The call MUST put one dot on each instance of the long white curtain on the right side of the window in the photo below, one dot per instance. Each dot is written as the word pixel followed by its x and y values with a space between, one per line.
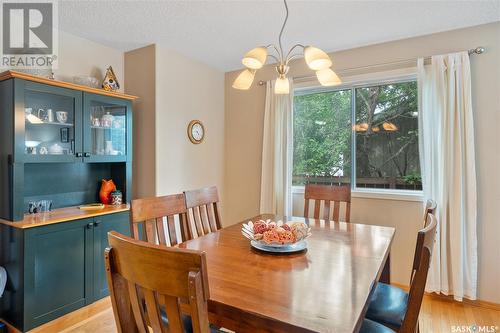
pixel 448 171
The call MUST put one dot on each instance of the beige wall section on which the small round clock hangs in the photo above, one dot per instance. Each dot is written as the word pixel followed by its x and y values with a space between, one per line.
pixel 187 90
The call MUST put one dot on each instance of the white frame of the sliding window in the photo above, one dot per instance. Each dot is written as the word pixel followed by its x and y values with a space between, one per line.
pixel 352 83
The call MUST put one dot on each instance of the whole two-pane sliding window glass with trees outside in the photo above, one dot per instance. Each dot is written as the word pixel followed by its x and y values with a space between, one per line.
pixel 365 135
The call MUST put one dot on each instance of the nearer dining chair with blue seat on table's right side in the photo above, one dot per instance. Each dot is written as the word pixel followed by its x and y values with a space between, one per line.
pixel 395 308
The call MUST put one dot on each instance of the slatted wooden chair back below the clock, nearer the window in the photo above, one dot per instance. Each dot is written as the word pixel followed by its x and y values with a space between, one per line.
pixel 203 211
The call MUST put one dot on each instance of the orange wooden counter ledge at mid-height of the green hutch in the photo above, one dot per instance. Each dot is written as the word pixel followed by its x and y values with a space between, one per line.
pixel 62 215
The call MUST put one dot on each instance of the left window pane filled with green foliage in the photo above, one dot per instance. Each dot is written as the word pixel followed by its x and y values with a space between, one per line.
pixel 322 137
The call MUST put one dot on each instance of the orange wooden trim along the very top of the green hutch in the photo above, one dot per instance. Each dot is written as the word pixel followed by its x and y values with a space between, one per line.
pixel 13 74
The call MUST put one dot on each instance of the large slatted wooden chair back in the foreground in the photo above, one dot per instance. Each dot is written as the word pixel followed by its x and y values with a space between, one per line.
pixel 144 278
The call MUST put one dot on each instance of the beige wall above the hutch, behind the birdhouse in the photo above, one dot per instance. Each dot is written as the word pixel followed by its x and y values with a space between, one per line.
pixel 80 56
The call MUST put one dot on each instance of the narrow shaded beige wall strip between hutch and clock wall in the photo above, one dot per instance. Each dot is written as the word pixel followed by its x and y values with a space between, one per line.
pixel 141 81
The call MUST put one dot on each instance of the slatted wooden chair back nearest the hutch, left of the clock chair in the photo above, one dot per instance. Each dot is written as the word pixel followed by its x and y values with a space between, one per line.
pixel 153 219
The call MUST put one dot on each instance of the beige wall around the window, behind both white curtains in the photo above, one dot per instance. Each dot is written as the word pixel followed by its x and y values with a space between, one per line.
pixel 244 123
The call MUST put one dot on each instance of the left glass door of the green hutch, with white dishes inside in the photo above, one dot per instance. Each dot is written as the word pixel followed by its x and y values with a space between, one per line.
pixel 51 123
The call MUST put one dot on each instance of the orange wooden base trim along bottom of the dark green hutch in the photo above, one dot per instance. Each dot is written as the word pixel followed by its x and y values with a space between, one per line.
pixel 68 320
